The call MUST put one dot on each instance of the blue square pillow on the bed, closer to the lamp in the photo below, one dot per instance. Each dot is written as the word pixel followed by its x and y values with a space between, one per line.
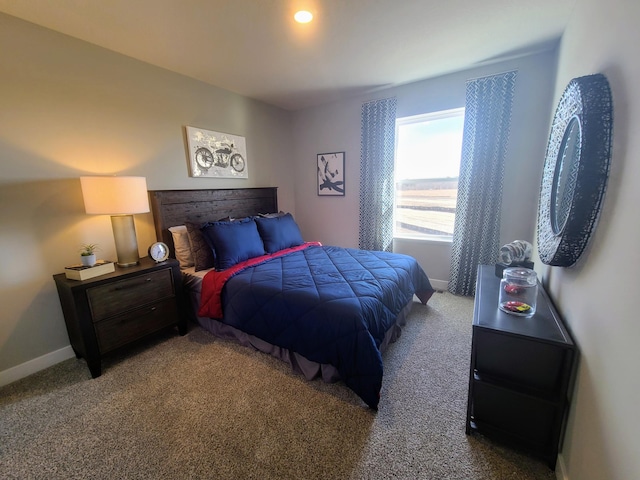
pixel 233 242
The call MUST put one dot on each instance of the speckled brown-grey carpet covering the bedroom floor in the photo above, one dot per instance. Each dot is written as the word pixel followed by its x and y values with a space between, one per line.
pixel 199 407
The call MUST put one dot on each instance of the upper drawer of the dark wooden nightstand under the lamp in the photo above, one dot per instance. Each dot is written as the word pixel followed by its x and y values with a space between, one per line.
pixel 118 297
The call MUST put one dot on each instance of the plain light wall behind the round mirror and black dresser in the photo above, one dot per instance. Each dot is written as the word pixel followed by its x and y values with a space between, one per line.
pixel 598 296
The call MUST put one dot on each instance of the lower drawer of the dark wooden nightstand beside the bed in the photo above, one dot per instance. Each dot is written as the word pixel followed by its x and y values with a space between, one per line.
pixel 122 329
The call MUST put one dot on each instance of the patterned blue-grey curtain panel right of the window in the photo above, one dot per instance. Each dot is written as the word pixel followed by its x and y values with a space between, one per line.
pixel 476 234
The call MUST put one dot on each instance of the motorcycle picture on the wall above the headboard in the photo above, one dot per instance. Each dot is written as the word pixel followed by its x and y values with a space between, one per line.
pixel 216 154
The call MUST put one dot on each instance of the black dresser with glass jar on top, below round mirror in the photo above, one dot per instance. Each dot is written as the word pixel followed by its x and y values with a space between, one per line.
pixel 521 372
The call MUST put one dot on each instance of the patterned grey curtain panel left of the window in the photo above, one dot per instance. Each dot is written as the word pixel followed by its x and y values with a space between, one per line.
pixel 377 146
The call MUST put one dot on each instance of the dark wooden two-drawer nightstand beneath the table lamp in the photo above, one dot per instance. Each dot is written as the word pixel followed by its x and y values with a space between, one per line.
pixel 116 309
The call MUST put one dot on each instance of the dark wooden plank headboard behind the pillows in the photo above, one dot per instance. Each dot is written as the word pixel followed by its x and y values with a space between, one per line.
pixel 175 207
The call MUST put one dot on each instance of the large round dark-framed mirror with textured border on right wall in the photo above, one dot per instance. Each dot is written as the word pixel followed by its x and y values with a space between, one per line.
pixel 576 169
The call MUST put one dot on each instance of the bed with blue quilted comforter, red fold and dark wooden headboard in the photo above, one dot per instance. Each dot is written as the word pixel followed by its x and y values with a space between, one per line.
pixel 327 311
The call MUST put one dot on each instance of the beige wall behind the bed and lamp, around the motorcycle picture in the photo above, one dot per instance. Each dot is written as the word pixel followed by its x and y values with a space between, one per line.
pixel 68 108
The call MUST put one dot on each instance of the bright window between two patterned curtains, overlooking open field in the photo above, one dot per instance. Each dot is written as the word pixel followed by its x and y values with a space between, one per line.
pixel 427 164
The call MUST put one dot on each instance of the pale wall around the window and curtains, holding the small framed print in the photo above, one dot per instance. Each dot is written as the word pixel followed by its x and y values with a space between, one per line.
pixel 336 127
